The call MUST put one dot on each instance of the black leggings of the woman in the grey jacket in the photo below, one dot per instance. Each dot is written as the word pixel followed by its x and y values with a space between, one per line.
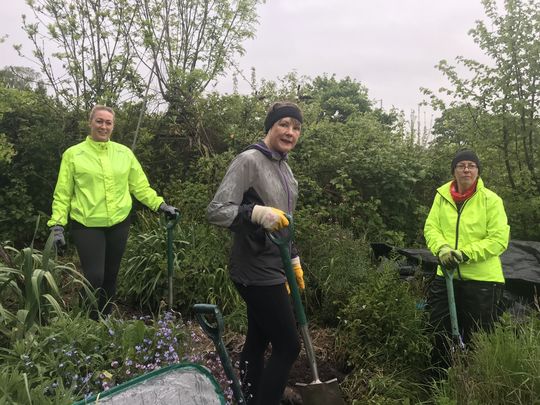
pixel 270 320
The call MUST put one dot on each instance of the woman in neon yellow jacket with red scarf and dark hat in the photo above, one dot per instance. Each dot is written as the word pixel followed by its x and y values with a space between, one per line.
pixel 468 230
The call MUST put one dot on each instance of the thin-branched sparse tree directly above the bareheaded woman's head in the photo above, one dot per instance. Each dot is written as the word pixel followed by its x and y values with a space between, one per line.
pixel 83 48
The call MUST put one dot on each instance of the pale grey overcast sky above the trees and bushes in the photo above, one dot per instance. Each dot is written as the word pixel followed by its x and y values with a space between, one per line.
pixel 390 46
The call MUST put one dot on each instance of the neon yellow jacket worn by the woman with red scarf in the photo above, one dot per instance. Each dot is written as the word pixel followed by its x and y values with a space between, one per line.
pixel 480 230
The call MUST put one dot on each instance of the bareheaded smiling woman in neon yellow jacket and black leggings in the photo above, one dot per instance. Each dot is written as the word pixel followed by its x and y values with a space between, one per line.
pixel 93 192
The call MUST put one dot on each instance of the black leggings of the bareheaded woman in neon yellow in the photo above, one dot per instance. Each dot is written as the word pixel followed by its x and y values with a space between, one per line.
pixel 100 252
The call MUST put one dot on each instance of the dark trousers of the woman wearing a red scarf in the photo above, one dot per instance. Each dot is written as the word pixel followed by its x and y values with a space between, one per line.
pixel 476 308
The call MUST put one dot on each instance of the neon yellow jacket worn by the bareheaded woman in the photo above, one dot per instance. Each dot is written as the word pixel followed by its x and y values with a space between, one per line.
pixel 95 182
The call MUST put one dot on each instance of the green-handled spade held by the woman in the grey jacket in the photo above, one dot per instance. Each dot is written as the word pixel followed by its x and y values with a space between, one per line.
pixel 315 392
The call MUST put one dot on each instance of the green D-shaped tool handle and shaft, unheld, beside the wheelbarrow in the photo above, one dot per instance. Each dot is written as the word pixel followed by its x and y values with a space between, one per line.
pixel 214 332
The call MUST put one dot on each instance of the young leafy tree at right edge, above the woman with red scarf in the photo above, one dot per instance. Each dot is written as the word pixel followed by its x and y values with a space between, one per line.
pixel 502 96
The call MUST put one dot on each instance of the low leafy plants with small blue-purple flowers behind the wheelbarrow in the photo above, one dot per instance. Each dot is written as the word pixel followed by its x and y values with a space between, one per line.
pixel 78 357
